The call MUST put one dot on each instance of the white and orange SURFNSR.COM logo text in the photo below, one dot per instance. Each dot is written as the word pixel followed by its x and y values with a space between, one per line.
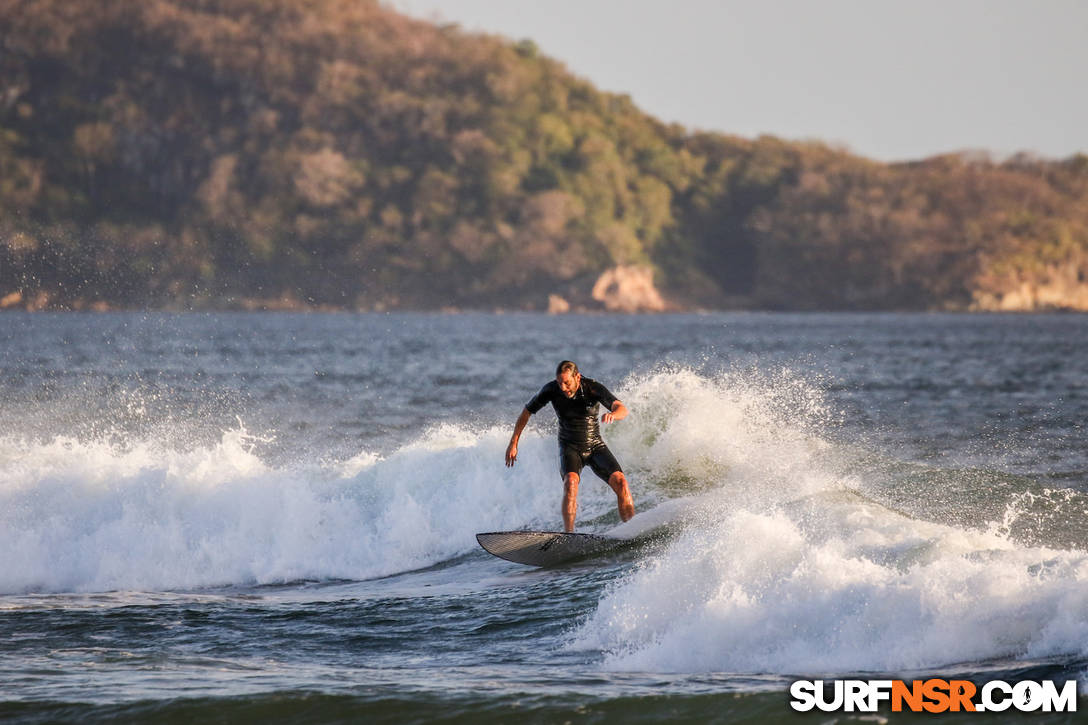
pixel 933 696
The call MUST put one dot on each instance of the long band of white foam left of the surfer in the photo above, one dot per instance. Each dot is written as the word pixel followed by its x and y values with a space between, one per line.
pixel 95 517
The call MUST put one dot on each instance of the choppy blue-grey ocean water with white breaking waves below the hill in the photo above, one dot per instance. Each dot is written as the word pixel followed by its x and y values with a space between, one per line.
pixel 271 518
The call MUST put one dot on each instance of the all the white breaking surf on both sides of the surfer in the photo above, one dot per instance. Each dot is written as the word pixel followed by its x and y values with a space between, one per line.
pixel 778 562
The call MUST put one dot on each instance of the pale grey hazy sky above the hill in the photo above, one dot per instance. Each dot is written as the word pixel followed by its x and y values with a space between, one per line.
pixel 888 80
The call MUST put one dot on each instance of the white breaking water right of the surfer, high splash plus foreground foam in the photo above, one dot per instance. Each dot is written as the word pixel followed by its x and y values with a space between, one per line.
pixel 790 564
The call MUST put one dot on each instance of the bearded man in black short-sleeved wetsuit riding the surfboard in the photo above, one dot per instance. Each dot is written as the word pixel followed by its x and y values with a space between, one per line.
pixel 577 402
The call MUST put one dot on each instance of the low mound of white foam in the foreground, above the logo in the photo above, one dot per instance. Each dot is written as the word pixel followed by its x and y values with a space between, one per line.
pixel 832 584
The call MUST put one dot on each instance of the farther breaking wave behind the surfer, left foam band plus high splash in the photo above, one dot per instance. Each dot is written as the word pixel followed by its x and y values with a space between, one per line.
pixel 149 511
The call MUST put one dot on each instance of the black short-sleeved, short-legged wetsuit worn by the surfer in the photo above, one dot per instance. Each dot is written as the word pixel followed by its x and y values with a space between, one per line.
pixel 579 427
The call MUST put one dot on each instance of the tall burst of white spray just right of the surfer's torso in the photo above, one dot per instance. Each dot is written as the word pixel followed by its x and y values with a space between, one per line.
pixel 691 433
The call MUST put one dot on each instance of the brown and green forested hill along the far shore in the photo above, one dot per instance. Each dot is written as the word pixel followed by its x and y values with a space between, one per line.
pixel 195 154
